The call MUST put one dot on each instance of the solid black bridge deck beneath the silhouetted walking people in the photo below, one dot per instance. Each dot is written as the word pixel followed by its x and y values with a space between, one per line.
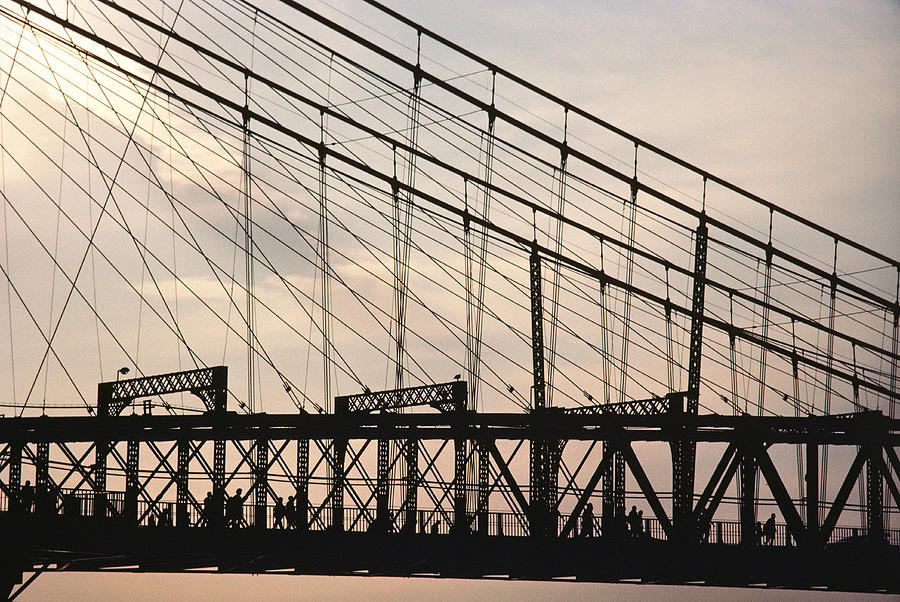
pixel 90 544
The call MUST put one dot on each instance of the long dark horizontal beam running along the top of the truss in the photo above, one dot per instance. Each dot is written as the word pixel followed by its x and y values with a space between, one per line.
pixel 854 429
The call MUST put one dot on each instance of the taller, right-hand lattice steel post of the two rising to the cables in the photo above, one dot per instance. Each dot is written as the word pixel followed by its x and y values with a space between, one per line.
pixel 684 449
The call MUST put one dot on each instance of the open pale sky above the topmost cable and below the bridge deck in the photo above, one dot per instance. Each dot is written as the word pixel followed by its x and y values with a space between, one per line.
pixel 794 101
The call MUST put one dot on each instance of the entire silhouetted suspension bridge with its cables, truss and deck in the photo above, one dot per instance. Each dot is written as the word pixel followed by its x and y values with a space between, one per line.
pixel 359 306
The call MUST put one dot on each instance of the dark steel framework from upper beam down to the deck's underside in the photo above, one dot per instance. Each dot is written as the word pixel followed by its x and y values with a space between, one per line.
pixel 749 444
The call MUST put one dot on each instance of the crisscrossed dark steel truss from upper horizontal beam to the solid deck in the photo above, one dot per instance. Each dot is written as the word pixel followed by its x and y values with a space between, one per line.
pixel 176 469
